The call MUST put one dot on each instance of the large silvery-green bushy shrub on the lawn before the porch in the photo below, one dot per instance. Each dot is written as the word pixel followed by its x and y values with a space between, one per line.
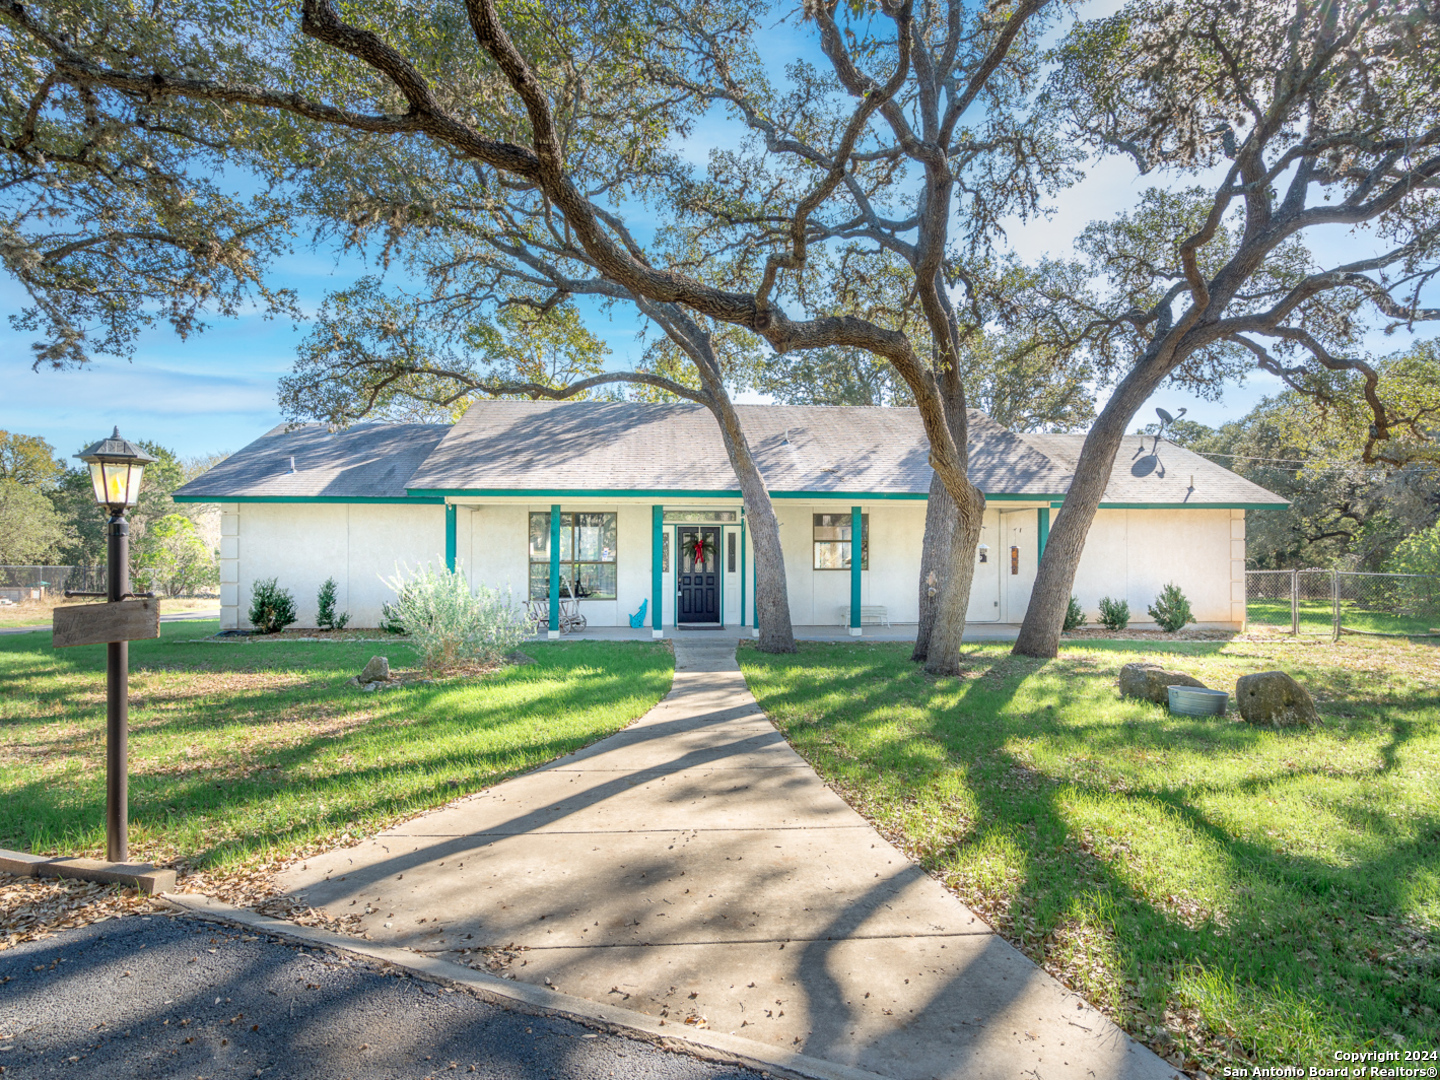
pixel 453 626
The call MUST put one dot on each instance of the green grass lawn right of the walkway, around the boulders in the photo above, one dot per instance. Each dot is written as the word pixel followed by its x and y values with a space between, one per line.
pixel 1246 894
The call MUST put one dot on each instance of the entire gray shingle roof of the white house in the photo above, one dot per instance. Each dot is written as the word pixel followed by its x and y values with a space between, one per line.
pixel 503 446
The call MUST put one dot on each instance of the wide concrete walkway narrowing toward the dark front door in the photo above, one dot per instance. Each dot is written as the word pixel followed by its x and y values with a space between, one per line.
pixel 696 869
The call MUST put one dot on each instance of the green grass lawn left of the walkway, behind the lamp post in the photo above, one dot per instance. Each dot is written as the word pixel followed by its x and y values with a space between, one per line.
pixel 246 751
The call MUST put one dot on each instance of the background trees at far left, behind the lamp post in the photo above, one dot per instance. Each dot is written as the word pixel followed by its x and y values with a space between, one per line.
pixel 50 518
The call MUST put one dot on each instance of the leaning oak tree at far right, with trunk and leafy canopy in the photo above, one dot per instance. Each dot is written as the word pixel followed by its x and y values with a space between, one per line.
pixel 1287 122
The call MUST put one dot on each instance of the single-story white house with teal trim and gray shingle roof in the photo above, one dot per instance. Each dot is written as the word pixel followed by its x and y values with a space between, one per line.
pixel 636 505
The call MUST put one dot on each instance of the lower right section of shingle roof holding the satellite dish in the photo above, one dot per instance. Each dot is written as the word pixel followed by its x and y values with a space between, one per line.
pixel 1170 476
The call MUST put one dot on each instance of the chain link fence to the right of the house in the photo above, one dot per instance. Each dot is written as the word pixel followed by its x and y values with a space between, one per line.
pixel 1334 603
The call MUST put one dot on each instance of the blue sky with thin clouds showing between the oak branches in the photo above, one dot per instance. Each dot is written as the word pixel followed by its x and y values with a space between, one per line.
pixel 217 391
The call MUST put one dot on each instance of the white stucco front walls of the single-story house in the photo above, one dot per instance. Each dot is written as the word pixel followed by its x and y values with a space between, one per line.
pixel 1131 554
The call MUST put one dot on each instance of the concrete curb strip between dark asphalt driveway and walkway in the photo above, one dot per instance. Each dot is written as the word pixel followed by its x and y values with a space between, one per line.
pixel 711 1046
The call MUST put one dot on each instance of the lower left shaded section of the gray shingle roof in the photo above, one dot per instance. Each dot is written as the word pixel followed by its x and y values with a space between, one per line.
pixel 366 462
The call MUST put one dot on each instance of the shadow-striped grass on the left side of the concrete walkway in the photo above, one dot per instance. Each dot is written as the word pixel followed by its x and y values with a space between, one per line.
pixel 227 775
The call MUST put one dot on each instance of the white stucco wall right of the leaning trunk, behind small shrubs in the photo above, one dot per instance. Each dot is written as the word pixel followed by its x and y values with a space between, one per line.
pixel 1133 555
